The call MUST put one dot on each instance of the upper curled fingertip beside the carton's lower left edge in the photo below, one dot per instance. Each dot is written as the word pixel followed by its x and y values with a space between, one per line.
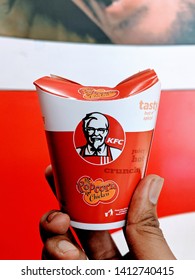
pixel 54 223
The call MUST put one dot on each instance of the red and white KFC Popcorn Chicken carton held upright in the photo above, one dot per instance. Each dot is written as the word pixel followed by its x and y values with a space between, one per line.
pixel 99 140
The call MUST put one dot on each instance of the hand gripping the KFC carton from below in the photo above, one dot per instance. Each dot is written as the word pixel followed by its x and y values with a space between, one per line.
pixel 144 237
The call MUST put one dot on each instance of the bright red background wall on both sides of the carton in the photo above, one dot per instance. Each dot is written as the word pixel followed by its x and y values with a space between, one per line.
pixel 25 195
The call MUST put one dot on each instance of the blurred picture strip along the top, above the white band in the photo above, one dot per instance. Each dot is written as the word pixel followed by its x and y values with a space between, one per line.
pixel 102 21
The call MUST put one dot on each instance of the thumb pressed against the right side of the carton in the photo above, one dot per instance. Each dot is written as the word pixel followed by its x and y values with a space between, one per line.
pixel 143 233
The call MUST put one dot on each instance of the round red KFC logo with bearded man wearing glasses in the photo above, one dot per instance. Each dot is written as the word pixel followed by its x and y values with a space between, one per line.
pixel 99 138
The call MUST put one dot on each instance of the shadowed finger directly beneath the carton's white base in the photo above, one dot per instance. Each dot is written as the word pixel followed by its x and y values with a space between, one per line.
pixel 98 245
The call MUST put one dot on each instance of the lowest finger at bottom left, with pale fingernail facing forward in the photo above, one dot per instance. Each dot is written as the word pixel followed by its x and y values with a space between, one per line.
pixel 61 248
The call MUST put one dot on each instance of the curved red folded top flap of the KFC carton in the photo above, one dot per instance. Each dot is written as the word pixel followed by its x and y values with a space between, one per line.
pixel 70 89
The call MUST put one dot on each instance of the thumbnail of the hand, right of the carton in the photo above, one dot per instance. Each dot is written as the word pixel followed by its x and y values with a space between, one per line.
pixel 155 189
